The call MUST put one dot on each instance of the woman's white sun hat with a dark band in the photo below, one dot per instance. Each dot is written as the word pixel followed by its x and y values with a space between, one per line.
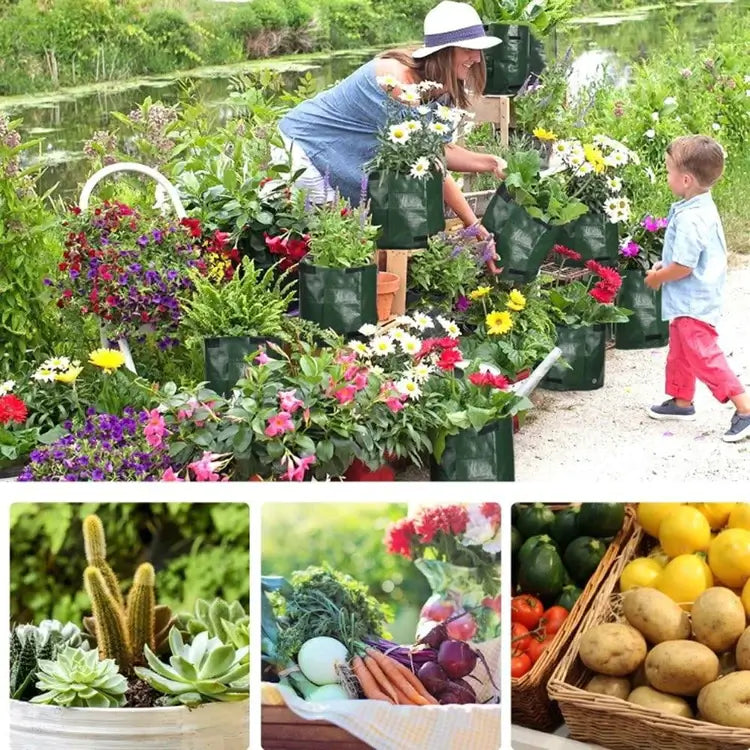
pixel 452 24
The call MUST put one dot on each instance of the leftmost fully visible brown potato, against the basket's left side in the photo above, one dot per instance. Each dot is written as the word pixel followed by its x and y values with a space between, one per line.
pixel 613 649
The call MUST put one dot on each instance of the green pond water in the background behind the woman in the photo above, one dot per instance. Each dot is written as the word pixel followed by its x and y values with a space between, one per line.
pixel 63 122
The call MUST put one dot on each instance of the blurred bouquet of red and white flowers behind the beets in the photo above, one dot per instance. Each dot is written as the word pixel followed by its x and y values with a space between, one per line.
pixel 457 549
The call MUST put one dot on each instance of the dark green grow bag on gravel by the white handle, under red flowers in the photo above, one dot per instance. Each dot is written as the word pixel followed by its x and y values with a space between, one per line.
pixel 583 349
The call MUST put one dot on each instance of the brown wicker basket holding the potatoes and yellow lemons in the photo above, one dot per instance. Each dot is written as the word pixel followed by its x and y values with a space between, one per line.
pixel 615 723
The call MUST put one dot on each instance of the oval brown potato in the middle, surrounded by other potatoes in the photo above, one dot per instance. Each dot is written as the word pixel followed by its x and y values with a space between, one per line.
pixel 681 667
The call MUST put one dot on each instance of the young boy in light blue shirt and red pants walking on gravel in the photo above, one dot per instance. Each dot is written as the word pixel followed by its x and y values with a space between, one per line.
pixel 693 271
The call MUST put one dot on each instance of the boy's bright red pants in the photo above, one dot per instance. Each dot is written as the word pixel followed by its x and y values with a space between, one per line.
pixel 694 354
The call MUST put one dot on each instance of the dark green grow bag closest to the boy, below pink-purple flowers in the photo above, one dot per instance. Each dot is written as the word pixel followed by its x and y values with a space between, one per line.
pixel 645 329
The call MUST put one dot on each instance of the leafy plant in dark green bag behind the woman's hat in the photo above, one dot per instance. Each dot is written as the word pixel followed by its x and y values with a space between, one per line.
pixel 521 25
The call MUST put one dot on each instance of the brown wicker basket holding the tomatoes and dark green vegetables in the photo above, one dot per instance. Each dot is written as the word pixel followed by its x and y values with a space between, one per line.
pixel 531 706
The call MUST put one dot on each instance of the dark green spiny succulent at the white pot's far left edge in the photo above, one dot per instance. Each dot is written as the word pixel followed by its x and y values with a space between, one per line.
pixel 30 643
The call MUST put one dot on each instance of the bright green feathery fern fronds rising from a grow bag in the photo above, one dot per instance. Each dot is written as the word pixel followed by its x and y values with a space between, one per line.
pixel 252 303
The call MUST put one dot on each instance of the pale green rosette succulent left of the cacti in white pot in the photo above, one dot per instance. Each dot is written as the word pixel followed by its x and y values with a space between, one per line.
pixel 80 678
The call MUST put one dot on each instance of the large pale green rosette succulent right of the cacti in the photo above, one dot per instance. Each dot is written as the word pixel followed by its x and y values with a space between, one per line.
pixel 204 671
